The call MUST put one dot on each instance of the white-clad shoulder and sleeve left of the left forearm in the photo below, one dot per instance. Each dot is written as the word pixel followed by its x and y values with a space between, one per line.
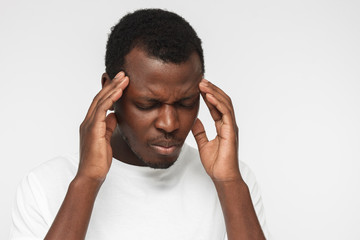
pixel 40 193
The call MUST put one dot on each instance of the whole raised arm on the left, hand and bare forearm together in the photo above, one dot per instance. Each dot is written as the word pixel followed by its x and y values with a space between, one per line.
pixel 73 217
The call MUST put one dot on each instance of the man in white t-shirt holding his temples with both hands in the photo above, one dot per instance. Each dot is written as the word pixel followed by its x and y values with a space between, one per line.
pixel 135 178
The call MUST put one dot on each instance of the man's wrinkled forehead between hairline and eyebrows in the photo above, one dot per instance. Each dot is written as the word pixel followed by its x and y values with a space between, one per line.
pixel 151 77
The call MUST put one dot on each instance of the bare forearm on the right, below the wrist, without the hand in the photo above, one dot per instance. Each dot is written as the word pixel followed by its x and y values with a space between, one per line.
pixel 239 213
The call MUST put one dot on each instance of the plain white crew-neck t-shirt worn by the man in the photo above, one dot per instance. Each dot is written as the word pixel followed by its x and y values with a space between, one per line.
pixel 134 202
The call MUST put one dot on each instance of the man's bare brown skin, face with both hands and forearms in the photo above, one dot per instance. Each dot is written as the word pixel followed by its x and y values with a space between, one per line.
pixel 151 121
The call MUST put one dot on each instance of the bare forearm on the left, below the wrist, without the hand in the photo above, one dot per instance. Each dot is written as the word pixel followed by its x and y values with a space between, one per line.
pixel 73 217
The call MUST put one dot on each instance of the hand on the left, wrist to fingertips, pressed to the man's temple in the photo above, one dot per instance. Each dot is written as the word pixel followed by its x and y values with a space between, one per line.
pixel 96 131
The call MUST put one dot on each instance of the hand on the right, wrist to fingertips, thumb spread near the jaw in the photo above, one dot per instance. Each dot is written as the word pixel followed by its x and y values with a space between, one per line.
pixel 220 155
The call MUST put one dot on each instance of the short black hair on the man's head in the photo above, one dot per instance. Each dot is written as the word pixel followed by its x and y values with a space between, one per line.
pixel 162 34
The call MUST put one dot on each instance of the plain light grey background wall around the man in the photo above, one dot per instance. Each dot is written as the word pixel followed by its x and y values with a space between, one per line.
pixel 291 68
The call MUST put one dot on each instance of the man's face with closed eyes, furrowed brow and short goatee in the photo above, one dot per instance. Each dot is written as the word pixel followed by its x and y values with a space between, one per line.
pixel 159 107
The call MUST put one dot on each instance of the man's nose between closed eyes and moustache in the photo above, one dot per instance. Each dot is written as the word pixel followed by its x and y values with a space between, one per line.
pixel 167 120
